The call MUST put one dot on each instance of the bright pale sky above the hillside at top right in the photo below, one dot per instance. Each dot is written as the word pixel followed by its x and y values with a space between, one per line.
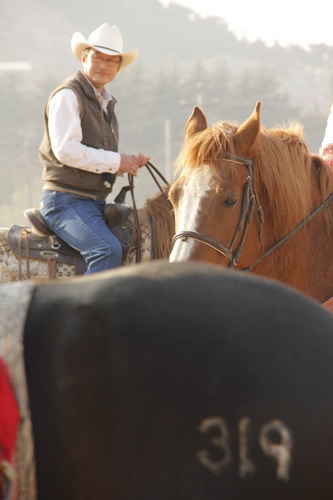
pixel 286 21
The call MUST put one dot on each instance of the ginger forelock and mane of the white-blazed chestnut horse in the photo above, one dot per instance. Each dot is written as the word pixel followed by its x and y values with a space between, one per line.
pixel 290 182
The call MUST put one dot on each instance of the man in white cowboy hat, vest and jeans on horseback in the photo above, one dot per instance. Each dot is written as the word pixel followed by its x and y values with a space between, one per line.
pixel 79 150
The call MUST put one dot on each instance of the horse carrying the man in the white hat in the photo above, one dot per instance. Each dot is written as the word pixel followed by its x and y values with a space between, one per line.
pixel 153 227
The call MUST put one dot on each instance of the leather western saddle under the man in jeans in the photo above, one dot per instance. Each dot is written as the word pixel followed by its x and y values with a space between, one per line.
pixel 39 242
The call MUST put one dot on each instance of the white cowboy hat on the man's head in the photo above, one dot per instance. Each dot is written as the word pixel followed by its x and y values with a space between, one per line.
pixel 106 39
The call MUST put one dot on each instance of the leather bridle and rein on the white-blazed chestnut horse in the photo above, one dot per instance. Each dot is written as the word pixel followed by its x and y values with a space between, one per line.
pixel 250 199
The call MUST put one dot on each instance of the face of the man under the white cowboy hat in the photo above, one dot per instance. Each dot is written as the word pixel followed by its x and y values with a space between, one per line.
pixel 100 68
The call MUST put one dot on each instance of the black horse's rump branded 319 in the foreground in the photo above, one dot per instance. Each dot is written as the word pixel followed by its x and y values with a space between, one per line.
pixel 179 382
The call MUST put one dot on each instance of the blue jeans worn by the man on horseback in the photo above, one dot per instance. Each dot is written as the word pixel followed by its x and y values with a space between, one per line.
pixel 79 221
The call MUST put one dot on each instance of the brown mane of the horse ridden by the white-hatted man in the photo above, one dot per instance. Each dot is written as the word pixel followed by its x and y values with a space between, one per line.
pixel 160 210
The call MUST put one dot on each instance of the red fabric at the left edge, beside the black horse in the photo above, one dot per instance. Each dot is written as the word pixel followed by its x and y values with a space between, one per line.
pixel 9 417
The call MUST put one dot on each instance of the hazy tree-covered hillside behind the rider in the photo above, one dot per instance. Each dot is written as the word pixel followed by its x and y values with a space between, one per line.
pixel 183 60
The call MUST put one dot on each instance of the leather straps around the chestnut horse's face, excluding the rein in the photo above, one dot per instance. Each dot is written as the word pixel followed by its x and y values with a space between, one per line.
pixel 249 199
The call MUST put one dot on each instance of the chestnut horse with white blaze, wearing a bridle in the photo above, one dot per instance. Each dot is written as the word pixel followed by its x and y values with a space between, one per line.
pixel 255 198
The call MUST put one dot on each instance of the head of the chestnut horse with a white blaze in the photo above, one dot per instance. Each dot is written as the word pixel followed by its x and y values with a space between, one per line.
pixel 214 196
